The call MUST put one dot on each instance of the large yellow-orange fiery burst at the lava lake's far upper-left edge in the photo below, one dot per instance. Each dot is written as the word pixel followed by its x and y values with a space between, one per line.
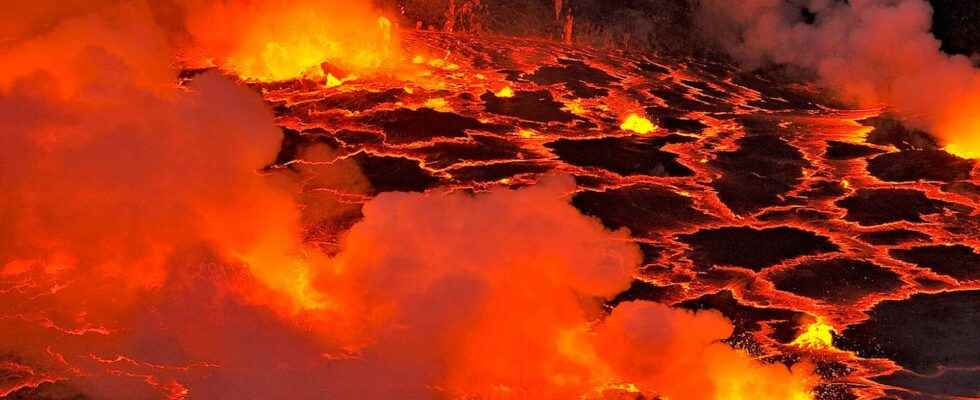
pixel 268 41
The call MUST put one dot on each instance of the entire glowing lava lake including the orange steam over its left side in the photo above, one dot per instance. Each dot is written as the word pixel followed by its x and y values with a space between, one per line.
pixel 356 211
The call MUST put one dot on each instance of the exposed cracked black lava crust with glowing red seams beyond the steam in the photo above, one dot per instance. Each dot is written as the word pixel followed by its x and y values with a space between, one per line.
pixel 753 196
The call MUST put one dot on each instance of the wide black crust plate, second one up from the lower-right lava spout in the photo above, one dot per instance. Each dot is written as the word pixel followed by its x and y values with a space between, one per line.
pixel 752 248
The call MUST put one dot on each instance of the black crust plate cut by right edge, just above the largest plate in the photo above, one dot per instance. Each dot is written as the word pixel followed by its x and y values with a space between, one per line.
pixel 959 261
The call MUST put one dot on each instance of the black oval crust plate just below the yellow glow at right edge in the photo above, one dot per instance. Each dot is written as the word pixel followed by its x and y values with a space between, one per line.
pixel 914 165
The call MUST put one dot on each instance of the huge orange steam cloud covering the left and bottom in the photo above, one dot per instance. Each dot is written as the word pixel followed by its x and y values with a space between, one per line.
pixel 144 255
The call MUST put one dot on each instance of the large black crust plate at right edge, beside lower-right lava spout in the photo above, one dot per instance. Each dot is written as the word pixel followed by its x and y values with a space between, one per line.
pixel 921 333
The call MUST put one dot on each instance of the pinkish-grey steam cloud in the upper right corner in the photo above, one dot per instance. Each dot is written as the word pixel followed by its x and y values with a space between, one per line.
pixel 870 51
